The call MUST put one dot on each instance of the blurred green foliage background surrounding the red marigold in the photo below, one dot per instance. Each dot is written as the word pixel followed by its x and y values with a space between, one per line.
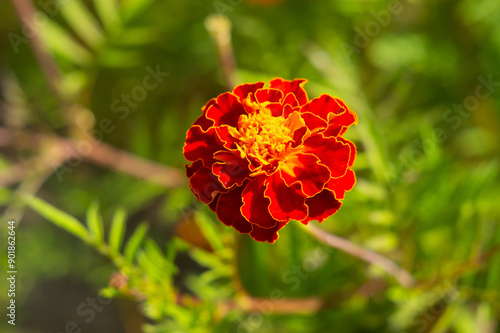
pixel 423 77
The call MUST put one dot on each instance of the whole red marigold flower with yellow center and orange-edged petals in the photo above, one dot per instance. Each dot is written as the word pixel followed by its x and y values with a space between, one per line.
pixel 265 156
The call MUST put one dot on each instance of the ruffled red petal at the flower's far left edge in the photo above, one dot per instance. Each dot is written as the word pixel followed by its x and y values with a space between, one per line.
pixel 202 145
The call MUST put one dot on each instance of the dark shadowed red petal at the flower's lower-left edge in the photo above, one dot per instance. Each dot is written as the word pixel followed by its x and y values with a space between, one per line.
pixel 228 211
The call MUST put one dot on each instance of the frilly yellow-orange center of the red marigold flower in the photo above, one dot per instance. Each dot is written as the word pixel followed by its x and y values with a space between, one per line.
pixel 262 138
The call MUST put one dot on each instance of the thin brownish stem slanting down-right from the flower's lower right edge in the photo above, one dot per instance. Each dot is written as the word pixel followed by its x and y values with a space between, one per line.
pixel 402 276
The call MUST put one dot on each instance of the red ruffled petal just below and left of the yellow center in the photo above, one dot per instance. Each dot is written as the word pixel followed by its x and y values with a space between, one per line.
pixel 232 170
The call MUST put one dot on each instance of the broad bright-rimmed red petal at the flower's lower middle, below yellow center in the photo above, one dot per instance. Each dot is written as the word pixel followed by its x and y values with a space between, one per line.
pixel 287 203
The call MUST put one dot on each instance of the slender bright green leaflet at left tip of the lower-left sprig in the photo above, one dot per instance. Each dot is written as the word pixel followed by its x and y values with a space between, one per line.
pixel 58 217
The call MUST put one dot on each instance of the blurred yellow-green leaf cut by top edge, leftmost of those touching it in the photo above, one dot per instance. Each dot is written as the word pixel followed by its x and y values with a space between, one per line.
pixel 82 22
